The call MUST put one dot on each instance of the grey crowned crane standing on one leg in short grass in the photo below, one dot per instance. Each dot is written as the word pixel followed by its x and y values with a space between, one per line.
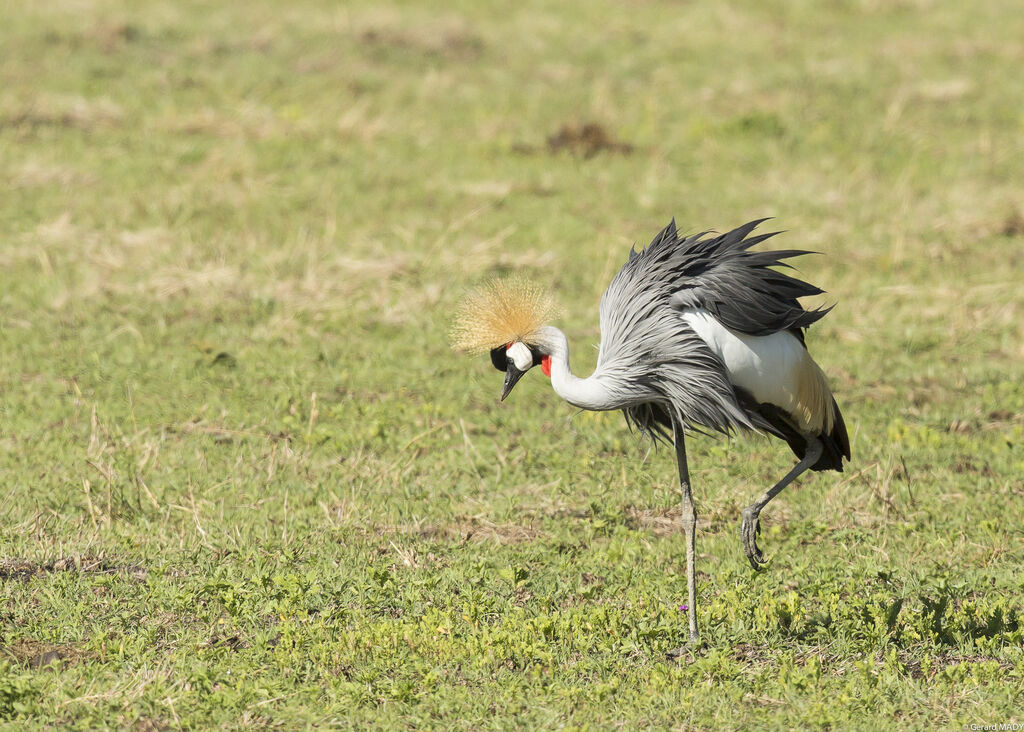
pixel 698 334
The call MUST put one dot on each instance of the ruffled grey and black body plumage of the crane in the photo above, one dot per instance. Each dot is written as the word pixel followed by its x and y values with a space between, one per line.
pixel 663 368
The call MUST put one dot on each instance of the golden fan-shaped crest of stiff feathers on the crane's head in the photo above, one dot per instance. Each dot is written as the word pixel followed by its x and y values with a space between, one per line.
pixel 499 313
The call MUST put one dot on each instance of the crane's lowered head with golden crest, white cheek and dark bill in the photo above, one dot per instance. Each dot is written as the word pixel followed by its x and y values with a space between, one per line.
pixel 506 318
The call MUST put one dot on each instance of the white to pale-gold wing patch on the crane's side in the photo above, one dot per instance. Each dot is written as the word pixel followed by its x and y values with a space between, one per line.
pixel 776 370
